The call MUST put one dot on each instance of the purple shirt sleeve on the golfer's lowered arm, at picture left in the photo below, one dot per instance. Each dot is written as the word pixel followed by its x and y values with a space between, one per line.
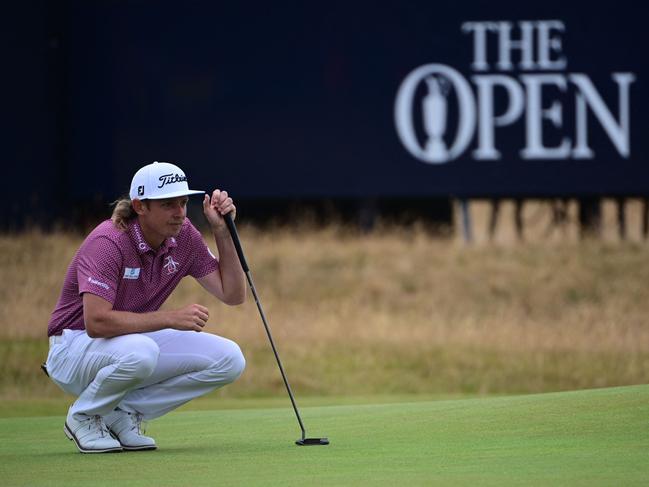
pixel 98 268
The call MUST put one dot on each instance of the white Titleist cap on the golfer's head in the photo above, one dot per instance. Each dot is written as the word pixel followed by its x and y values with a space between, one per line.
pixel 160 180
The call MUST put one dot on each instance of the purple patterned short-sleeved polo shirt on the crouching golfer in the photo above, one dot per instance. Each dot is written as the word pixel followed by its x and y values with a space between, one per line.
pixel 120 267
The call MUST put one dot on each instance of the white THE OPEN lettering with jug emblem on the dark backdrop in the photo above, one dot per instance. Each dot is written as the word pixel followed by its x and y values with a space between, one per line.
pixel 539 97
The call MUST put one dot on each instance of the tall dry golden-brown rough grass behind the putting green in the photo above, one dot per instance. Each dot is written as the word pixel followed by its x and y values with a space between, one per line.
pixel 395 311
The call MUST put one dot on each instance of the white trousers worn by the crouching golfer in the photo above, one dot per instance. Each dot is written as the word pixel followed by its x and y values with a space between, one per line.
pixel 147 373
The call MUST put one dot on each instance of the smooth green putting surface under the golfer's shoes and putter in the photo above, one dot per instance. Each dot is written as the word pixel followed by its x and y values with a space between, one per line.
pixel 593 437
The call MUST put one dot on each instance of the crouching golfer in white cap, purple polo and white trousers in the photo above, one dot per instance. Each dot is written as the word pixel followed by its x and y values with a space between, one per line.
pixel 110 346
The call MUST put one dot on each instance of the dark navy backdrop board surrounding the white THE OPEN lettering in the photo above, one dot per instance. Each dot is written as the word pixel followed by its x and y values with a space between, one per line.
pixel 295 100
